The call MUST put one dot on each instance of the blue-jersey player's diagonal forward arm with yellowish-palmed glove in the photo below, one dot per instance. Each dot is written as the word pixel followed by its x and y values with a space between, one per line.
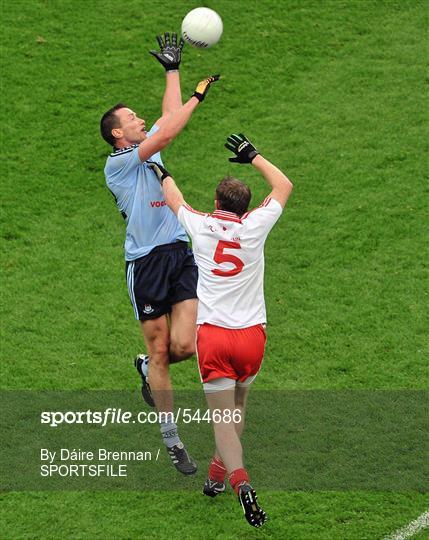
pixel 175 121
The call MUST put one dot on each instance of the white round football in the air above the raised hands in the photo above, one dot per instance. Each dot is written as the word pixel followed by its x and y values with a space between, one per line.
pixel 202 27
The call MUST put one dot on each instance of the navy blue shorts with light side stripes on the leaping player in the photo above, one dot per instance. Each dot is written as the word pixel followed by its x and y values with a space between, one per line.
pixel 166 276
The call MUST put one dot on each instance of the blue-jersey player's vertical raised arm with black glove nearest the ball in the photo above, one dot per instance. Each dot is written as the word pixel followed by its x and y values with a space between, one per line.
pixel 170 56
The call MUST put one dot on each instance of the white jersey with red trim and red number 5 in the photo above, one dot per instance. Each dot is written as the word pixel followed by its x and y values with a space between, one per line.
pixel 229 252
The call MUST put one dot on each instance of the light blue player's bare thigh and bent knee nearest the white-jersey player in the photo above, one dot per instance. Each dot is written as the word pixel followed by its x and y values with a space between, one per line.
pixel 182 330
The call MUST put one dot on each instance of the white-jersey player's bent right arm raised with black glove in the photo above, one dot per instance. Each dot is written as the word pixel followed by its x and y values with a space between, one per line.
pixel 245 152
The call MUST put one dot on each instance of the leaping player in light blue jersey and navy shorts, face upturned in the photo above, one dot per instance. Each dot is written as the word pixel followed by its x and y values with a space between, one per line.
pixel 160 269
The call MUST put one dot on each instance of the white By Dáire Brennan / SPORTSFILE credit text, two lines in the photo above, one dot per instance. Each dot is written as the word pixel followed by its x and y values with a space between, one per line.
pixel 62 463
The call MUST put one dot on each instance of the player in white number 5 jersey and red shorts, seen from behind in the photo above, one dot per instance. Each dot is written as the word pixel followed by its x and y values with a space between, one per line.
pixel 228 246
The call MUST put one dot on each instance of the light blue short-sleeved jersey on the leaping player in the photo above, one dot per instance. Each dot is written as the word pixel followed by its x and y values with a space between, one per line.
pixel 139 197
